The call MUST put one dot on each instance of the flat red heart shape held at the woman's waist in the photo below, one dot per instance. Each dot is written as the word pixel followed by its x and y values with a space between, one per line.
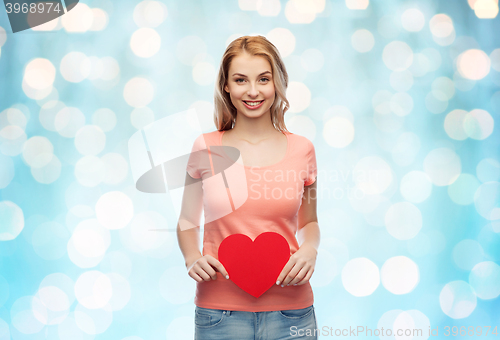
pixel 254 266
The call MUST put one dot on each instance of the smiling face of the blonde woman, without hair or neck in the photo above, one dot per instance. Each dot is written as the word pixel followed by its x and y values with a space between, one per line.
pixel 250 85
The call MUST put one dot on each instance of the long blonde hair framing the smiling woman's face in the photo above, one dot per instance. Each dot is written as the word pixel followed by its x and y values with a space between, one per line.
pixel 225 112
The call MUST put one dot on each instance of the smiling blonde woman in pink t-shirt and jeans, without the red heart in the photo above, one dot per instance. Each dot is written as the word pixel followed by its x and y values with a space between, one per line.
pixel 279 196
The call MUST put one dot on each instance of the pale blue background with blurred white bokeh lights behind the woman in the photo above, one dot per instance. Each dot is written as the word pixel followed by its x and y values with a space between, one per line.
pixel 399 97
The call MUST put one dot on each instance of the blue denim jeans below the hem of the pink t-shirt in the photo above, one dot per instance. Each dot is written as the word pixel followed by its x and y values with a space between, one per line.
pixel 217 324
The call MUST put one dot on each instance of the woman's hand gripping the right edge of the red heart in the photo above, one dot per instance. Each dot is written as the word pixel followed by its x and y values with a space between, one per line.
pixel 299 267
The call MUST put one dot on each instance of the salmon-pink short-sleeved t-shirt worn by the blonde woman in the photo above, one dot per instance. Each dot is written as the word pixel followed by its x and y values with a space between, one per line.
pixel 269 201
